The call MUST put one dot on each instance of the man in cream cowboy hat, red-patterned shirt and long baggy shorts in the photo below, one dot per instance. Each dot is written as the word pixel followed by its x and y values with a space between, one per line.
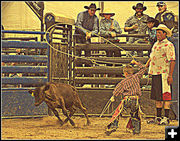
pixel 162 62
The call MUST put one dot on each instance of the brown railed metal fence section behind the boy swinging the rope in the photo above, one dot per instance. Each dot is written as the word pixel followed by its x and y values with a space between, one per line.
pixel 92 89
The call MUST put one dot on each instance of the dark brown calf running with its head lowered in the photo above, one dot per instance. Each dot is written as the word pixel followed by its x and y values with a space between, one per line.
pixel 59 95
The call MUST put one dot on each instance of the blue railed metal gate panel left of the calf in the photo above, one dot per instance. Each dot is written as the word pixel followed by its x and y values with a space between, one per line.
pixel 21 72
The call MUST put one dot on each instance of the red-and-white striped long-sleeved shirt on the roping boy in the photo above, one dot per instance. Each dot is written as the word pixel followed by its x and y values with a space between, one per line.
pixel 130 86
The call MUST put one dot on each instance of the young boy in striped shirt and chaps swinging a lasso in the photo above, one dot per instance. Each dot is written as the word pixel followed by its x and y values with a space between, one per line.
pixel 130 89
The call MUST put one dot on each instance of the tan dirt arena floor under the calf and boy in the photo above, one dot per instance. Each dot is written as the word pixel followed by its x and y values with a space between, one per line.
pixel 49 128
